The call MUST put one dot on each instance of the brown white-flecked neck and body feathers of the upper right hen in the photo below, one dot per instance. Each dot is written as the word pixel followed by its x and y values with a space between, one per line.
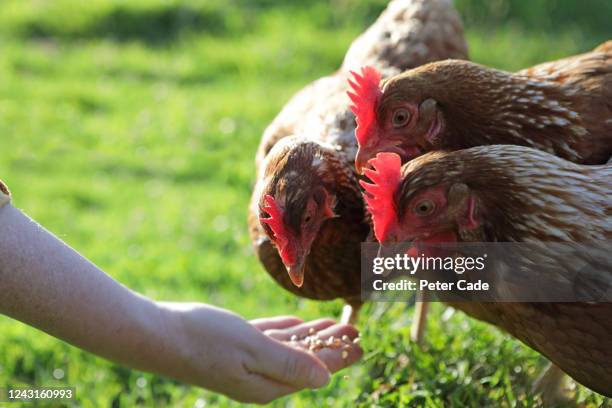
pixel 562 107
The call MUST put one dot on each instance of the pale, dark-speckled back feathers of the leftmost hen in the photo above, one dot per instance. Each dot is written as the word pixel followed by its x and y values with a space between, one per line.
pixel 407 34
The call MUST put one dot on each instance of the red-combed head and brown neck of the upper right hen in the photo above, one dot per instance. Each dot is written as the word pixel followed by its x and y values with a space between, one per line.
pixel 451 105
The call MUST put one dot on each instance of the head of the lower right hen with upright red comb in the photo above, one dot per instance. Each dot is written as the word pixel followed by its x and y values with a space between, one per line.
pixel 418 203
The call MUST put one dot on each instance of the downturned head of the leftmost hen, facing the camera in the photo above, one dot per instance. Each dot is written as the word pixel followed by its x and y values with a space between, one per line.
pixel 294 202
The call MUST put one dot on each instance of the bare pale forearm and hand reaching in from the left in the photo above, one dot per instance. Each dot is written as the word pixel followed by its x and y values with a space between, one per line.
pixel 48 285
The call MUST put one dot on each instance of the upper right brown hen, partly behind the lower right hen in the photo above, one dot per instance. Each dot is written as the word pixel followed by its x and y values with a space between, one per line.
pixel 562 107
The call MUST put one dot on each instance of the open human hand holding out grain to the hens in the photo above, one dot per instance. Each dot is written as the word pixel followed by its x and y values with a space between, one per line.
pixel 250 362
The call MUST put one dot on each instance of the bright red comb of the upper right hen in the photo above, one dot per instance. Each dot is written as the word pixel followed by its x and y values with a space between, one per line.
pixel 364 94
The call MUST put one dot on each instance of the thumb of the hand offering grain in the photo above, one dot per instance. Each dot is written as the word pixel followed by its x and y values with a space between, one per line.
pixel 290 366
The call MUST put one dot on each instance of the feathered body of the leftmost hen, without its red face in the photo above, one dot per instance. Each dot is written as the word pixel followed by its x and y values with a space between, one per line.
pixel 311 143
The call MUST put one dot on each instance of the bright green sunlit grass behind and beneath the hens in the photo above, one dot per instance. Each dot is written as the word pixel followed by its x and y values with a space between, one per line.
pixel 129 130
